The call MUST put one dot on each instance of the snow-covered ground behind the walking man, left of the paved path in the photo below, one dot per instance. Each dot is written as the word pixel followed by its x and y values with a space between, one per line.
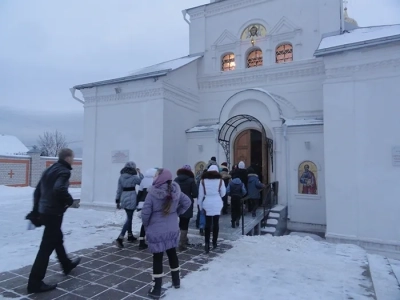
pixel 83 228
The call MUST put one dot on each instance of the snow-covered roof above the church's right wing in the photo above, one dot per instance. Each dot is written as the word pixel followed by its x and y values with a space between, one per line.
pixel 364 36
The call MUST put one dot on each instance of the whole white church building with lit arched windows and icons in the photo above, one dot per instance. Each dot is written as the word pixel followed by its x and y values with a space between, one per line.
pixel 303 94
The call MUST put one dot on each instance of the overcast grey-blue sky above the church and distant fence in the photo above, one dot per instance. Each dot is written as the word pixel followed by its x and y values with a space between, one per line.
pixel 48 46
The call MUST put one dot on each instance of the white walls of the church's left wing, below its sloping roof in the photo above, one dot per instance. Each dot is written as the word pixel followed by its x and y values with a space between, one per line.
pixel 116 122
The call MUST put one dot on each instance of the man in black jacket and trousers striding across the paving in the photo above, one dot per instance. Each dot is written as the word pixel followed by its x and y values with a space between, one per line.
pixel 51 200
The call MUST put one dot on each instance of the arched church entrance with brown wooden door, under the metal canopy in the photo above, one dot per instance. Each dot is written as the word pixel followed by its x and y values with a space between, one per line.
pixel 248 148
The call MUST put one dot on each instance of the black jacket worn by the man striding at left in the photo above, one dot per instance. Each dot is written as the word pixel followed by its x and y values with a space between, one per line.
pixel 51 194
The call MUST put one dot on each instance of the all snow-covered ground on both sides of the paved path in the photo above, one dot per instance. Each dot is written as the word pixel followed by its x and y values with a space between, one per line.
pixel 298 266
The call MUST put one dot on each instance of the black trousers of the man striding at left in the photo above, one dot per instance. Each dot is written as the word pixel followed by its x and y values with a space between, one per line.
pixel 52 240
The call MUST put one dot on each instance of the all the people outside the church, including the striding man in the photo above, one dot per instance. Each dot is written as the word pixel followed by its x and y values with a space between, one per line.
pixel 165 204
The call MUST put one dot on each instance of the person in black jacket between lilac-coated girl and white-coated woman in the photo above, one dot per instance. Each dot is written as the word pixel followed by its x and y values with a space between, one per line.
pixel 188 186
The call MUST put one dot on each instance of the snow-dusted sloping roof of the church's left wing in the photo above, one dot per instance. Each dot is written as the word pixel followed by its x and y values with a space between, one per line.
pixel 160 69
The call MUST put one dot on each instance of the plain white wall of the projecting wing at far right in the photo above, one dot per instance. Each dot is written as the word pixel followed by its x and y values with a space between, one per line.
pixel 361 113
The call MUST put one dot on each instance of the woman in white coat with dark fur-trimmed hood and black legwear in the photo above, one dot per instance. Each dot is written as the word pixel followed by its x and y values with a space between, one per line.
pixel 211 191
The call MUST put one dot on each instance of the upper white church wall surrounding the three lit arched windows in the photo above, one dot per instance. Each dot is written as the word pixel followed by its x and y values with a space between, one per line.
pixel 300 25
